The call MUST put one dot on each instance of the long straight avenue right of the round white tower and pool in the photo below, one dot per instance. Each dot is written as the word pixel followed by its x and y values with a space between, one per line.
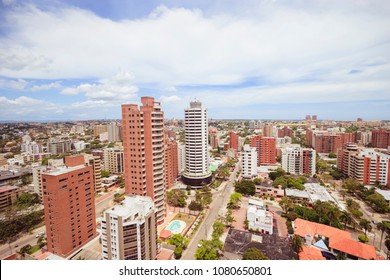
pixel 217 207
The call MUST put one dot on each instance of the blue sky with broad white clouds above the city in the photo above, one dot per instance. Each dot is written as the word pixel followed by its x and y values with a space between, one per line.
pixel 247 59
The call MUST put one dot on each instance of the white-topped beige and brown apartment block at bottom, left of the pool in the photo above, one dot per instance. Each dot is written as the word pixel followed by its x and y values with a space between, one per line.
pixel 129 230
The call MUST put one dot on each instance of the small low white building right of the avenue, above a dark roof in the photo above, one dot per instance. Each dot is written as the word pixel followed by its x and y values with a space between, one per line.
pixel 259 219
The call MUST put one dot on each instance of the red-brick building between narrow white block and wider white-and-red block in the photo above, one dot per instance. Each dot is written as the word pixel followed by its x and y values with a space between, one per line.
pixel 266 149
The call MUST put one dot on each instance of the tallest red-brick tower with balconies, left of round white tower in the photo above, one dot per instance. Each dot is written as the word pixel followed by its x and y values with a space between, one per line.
pixel 143 144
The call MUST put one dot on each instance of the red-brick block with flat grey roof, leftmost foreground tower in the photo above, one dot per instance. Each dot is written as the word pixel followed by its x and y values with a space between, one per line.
pixel 69 200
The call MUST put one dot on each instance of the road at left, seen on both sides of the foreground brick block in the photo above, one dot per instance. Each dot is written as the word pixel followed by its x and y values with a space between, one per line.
pixel 29 238
